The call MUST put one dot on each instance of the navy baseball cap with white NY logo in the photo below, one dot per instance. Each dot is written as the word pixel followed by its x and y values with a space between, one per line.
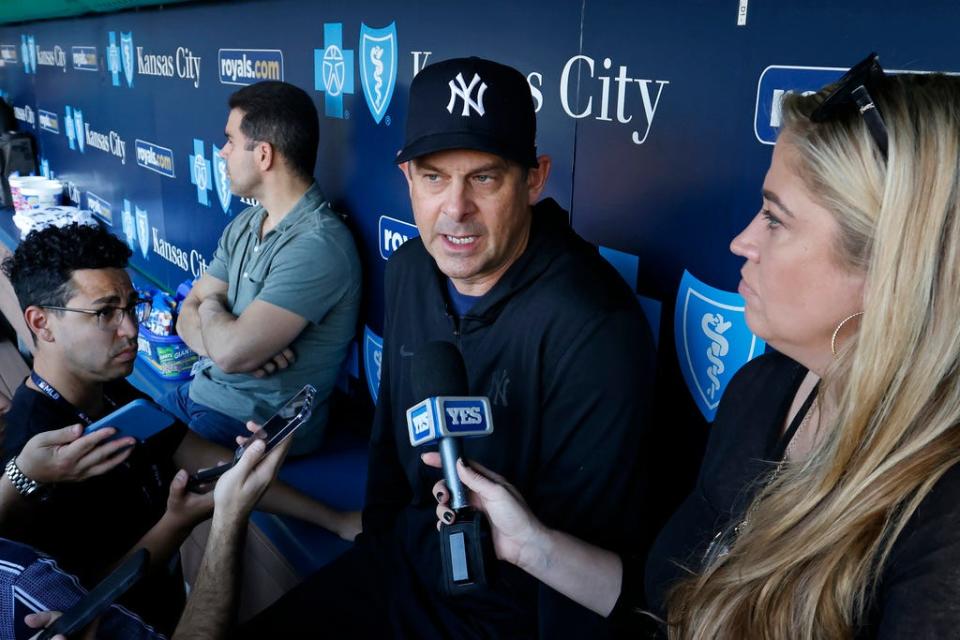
pixel 471 103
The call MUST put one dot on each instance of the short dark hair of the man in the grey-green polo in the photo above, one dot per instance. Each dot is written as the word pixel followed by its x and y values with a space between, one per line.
pixel 283 115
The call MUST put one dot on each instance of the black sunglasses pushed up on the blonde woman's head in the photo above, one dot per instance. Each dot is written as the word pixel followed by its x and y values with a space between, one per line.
pixel 853 90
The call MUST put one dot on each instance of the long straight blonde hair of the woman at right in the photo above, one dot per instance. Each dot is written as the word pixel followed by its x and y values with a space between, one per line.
pixel 807 562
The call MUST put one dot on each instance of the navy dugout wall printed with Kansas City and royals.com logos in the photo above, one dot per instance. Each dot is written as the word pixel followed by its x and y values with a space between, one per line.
pixel 659 118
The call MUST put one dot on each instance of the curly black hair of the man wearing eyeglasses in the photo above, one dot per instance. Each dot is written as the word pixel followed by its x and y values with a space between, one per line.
pixel 42 266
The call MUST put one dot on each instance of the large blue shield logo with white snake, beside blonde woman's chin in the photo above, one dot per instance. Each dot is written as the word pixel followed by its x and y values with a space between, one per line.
pixel 712 339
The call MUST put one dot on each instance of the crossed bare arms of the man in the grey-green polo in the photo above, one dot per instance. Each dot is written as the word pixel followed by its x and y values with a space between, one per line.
pixel 257 341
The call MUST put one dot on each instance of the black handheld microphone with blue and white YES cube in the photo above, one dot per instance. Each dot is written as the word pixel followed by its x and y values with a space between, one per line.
pixel 445 414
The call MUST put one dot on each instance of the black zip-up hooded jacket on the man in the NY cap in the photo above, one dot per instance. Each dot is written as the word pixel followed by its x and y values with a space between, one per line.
pixel 562 350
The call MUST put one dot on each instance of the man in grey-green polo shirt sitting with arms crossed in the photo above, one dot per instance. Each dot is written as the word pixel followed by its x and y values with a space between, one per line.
pixel 278 304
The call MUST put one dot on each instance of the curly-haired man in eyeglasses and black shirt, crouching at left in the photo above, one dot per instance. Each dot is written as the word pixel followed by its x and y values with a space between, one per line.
pixel 81 308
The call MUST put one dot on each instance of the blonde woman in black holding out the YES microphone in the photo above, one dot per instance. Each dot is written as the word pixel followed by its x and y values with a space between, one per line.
pixel 828 502
